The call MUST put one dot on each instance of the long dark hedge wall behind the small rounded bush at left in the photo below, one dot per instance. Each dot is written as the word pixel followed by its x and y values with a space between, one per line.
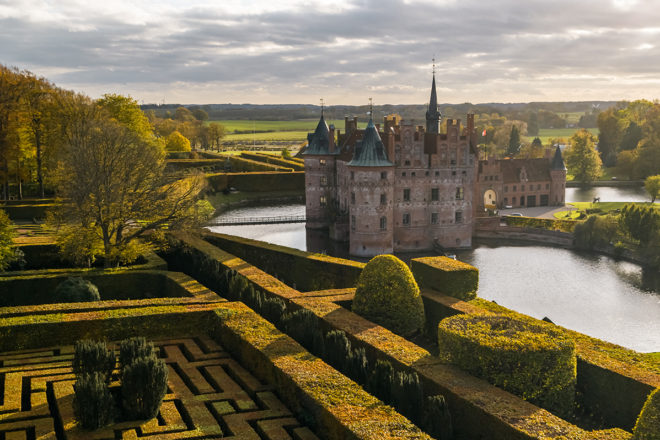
pixel 113 285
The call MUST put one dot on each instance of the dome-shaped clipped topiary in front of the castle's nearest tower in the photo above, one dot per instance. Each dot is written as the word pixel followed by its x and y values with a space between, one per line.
pixel 387 294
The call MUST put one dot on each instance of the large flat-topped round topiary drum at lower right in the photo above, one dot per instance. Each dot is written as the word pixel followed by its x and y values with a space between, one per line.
pixel 533 360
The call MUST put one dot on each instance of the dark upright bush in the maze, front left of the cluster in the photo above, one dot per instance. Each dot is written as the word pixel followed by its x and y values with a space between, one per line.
pixel 93 405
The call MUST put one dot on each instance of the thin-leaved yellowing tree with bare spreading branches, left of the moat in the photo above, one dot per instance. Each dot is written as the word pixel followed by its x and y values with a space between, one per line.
pixel 110 180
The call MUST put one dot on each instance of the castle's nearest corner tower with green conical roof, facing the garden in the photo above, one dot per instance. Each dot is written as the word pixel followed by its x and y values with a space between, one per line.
pixel 371 188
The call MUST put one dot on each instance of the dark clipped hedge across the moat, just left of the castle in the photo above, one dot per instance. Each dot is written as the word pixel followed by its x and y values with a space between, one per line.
pixel 258 181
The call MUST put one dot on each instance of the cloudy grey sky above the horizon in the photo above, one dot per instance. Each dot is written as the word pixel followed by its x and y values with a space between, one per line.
pixel 344 51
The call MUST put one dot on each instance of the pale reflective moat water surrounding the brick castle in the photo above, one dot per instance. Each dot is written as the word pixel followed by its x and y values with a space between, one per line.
pixel 611 300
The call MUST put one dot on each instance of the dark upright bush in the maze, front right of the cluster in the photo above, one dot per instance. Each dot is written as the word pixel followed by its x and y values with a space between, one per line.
pixel 143 386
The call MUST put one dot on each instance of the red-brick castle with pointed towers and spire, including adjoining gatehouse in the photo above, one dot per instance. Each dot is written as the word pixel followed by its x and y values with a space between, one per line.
pixel 400 187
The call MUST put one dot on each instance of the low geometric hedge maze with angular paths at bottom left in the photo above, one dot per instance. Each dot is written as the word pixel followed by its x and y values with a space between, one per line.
pixel 210 395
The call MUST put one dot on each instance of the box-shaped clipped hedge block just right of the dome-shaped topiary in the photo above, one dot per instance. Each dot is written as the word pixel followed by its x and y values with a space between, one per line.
pixel 446 275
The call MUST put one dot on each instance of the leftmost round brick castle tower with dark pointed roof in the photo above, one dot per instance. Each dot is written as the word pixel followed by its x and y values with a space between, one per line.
pixel 320 176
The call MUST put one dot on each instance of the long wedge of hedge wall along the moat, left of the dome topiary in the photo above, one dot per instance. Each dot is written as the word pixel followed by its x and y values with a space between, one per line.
pixel 304 271
